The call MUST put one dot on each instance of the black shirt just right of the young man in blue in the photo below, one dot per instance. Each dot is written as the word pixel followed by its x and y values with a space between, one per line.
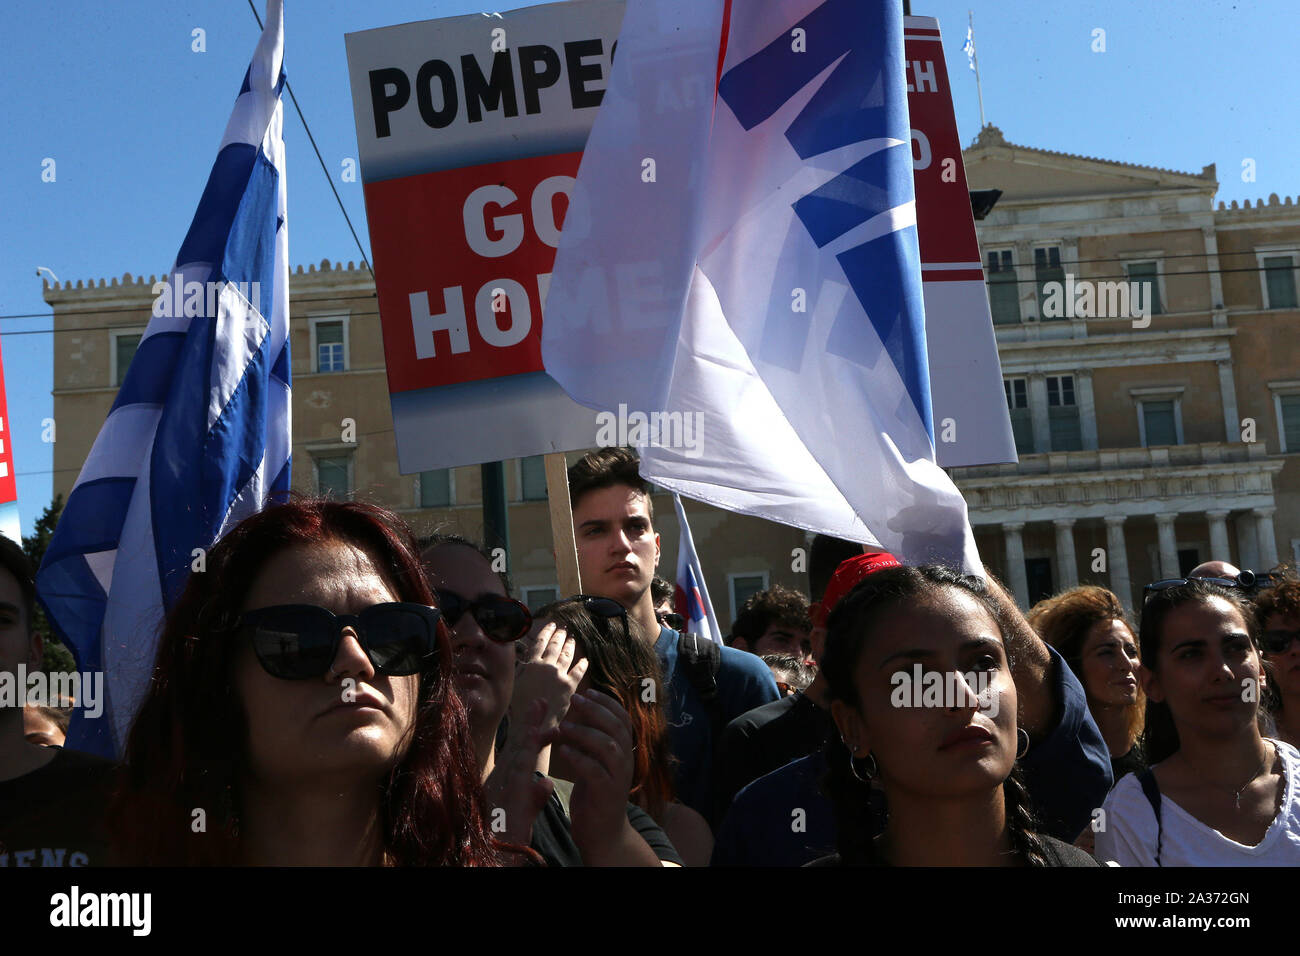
pixel 766 738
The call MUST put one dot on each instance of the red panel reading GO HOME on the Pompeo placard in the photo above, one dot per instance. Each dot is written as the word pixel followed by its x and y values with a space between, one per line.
pixel 475 313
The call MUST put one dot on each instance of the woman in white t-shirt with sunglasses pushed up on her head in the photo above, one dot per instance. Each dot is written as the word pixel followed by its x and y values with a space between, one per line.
pixel 1217 794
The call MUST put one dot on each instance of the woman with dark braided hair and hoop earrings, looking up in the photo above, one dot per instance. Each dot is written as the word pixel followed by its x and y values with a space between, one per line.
pixel 946 762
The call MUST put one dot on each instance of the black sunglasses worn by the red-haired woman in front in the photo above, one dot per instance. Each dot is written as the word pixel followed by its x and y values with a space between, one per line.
pixel 300 642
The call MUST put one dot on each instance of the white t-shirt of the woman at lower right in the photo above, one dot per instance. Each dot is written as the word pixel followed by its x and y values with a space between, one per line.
pixel 1129 836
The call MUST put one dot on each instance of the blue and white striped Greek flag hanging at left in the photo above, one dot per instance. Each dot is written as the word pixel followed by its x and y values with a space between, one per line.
pixel 200 434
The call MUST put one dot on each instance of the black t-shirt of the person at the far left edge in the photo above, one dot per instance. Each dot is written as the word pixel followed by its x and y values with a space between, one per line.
pixel 55 815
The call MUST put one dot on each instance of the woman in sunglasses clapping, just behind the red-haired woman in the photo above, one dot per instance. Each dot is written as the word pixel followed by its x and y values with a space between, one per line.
pixel 592 825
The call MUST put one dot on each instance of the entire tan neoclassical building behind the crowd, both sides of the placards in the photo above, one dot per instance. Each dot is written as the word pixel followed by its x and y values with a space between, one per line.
pixel 1149 443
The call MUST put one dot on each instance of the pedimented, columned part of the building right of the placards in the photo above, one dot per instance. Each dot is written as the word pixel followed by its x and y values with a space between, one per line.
pixel 1152 442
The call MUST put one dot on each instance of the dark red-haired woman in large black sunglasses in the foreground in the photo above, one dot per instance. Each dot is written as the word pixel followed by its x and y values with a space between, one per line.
pixel 302 712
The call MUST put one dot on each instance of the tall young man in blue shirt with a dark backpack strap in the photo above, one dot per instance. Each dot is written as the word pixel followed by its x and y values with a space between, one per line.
pixel 618 552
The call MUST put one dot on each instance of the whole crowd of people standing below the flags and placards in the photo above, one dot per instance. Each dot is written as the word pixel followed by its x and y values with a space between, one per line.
pixel 332 690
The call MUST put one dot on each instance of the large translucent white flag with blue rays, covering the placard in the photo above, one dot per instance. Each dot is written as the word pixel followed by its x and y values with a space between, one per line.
pixel 742 257
